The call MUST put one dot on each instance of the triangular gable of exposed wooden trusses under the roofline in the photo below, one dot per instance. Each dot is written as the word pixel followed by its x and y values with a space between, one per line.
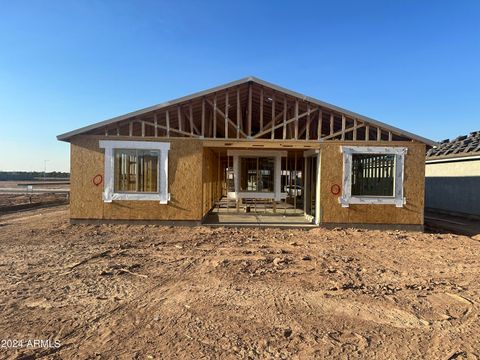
pixel 252 111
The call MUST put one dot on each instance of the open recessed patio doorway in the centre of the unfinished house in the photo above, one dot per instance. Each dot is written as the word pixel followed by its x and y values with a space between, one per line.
pixel 266 182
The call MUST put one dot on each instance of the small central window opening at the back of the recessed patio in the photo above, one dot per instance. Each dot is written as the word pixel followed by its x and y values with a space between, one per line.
pixel 257 174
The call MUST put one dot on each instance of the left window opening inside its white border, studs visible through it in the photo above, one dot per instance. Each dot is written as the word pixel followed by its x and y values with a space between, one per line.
pixel 136 170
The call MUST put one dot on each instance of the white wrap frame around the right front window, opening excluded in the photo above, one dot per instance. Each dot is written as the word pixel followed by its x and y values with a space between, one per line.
pixel 397 199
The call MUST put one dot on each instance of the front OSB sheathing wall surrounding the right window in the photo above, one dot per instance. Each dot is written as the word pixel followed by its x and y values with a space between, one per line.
pixel 414 180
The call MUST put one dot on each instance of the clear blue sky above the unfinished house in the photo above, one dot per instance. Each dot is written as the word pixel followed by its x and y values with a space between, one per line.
pixel 67 64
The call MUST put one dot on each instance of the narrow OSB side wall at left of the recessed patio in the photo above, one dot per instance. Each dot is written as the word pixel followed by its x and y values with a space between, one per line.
pixel 212 184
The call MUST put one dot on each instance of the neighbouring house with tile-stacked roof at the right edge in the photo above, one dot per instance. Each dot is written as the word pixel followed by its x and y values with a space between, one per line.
pixel 453 176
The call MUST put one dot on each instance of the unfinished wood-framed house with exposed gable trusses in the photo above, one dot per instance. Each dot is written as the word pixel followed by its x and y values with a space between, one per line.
pixel 245 144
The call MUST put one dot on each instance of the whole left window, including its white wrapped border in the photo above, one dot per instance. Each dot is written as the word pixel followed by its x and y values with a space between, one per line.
pixel 136 170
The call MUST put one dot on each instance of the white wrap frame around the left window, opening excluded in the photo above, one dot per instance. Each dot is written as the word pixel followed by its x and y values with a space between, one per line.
pixel 109 193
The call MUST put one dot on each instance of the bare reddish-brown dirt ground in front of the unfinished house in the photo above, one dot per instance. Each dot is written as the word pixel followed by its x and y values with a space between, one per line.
pixel 152 292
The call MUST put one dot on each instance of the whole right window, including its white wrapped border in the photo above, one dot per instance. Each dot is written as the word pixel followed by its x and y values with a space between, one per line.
pixel 373 175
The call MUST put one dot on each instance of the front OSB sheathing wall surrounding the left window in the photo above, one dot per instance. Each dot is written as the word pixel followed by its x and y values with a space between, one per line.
pixel 184 184
